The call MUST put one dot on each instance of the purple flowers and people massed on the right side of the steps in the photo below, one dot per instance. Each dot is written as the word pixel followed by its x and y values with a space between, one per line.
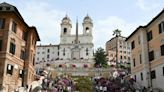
pixel 119 82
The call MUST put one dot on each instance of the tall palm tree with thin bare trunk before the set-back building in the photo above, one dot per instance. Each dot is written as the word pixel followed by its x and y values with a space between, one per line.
pixel 117 33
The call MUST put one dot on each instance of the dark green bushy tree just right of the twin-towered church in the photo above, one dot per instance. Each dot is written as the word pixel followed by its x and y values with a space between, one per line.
pixel 100 58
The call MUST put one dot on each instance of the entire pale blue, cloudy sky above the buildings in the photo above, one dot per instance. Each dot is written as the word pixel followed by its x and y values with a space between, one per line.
pixel 107 15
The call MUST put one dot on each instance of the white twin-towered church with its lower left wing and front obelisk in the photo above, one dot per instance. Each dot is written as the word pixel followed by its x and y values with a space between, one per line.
pixel 73 51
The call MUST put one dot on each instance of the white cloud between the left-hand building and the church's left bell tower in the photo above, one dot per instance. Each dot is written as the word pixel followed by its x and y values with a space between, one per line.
pixel 46 20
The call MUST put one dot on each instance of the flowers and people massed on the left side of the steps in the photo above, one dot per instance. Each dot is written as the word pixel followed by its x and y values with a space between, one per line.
pixel 45 83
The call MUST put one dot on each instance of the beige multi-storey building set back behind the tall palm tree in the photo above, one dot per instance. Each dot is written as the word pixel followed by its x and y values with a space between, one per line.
pixel 123 51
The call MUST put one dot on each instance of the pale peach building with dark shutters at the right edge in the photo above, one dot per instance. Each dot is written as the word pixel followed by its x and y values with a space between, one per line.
pixel 147 44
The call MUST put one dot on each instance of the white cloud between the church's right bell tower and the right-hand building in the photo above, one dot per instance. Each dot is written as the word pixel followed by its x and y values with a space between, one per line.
pixel 104 29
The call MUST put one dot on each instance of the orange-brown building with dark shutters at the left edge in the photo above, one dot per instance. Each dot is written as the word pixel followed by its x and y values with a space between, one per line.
pixel 17 49
